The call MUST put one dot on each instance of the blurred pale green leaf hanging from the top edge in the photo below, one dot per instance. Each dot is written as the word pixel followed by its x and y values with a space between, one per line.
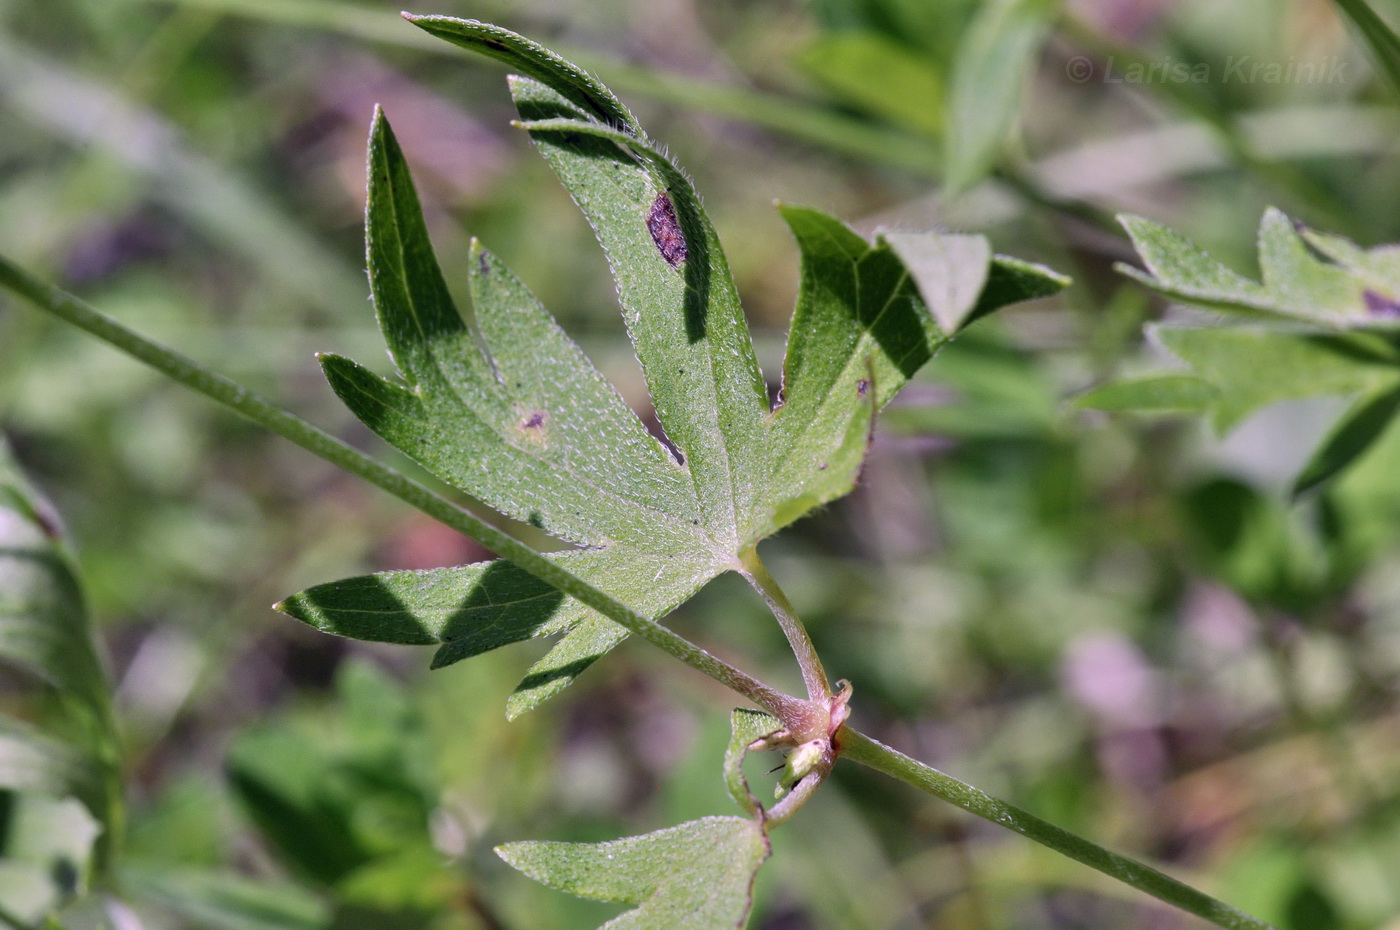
pixel 989 78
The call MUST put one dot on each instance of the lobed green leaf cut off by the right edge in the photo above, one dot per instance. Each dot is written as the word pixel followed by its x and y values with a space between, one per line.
pixel 1321 321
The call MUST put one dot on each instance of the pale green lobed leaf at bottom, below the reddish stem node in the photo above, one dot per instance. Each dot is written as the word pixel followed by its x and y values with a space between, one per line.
pixel 698 876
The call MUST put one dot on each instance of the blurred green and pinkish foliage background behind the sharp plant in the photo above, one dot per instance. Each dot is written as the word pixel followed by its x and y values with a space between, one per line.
pixel 1119 624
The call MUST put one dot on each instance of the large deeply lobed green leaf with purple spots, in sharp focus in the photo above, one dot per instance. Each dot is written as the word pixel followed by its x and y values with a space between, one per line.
pixel 510 411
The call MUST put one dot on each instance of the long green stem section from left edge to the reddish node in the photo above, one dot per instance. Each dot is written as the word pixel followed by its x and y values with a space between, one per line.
pixel 289 426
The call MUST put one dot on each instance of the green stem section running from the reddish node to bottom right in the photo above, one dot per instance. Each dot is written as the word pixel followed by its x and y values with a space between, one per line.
pixel 860 749
